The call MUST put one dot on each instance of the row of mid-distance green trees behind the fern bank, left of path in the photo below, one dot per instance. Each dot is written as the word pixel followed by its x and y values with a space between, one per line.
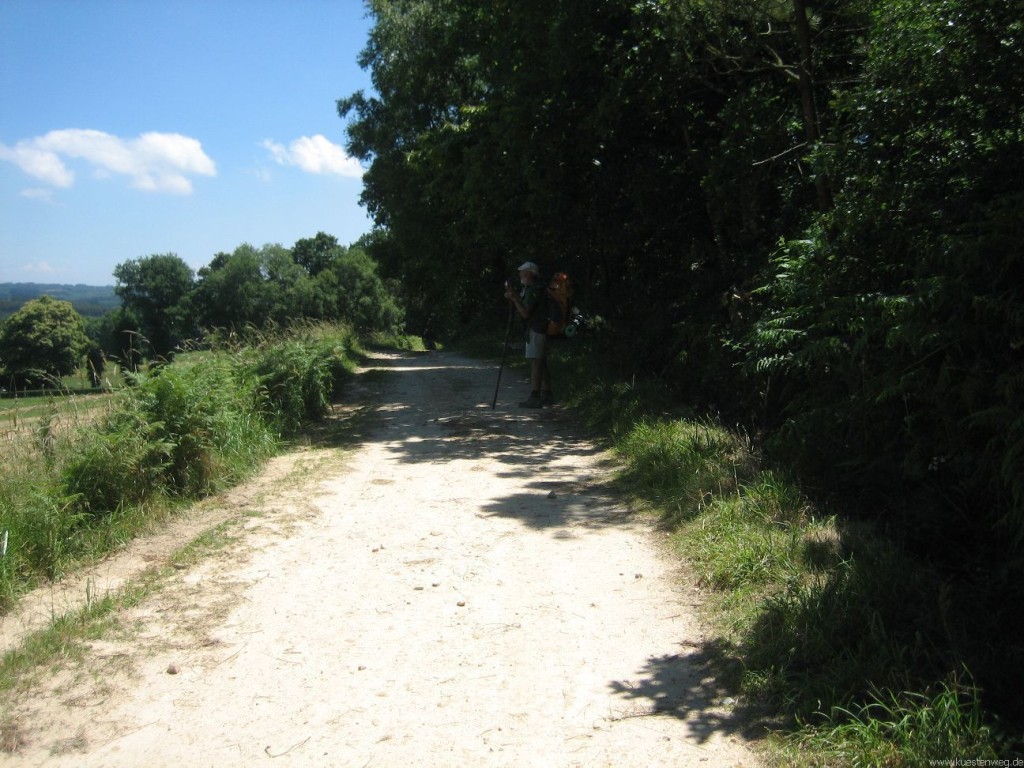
pixel 165 305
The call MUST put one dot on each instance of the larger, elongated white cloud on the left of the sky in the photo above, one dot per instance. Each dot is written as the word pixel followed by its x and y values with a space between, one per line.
pixel 155 162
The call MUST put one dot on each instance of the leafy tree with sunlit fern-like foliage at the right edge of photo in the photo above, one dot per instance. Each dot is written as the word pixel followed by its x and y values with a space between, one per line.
pixel 894 328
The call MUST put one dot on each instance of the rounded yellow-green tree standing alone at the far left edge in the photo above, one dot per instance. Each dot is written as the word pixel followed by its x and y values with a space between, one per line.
pixel 41 343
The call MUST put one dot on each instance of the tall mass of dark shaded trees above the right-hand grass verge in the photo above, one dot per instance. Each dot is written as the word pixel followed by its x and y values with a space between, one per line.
pixel 804 217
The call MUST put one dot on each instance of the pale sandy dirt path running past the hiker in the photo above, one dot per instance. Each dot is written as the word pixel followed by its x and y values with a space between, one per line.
pixel 459 591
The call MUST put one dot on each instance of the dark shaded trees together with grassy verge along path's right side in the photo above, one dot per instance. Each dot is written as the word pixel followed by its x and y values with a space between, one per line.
pixel 801 219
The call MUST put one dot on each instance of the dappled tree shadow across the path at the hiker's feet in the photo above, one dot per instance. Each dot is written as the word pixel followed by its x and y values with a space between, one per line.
pixel 429 409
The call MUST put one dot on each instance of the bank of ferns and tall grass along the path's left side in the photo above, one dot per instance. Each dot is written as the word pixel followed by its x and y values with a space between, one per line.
pixel 73 491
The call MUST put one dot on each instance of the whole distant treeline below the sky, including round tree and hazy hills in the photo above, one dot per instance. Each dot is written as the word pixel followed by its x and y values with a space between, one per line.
pixel 160 306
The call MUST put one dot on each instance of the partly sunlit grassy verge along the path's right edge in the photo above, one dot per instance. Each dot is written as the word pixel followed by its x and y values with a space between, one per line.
pixel 844 647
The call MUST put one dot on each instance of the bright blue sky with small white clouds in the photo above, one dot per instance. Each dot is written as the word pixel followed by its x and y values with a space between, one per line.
pixel 138 127
